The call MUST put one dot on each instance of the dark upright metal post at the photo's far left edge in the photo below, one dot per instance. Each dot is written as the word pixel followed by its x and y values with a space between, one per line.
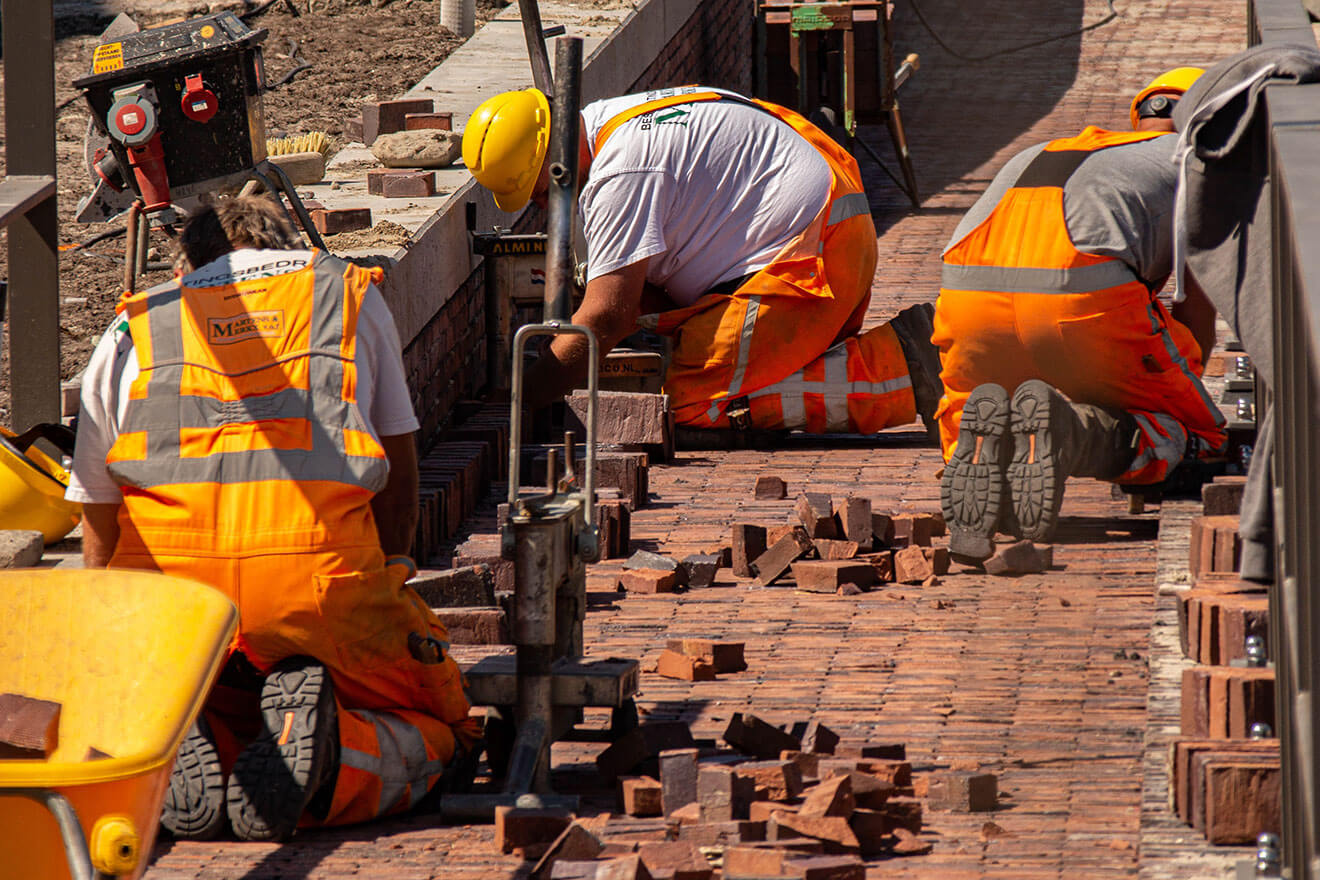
pixel 30 109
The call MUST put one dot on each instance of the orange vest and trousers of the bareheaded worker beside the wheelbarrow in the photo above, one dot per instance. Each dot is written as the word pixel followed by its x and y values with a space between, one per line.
pixel 246 465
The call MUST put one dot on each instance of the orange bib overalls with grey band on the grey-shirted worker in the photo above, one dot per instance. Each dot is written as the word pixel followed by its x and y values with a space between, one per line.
pixel 1020 301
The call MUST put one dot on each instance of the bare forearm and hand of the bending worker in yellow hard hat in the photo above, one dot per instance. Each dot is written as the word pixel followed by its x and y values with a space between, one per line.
pixel 610 308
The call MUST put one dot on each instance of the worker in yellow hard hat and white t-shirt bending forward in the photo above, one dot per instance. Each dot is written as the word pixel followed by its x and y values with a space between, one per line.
pixel 739 230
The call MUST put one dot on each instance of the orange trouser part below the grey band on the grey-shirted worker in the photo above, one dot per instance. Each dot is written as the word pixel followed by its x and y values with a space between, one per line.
pixel 1112 349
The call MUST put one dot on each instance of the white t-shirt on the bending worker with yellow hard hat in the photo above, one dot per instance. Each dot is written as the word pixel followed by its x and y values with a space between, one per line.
pixel 709 191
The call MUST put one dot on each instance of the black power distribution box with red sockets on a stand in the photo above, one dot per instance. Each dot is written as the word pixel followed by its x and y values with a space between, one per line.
pixel 176 114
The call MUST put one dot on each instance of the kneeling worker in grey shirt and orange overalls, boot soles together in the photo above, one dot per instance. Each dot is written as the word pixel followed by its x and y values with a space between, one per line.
pixel 1059 360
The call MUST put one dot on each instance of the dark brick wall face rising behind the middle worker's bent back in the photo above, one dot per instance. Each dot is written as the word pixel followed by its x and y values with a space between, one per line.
pixel 713 49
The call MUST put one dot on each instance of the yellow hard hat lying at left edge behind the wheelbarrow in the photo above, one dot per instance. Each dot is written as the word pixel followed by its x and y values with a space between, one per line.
pixel 32 491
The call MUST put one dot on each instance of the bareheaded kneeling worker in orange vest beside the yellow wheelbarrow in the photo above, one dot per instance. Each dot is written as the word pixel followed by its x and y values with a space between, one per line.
pixel 247 425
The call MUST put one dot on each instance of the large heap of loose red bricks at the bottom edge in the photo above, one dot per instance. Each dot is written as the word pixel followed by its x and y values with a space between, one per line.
pixel 789 801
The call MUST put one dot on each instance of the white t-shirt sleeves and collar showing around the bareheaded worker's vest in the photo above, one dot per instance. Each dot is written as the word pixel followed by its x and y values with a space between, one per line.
pixel 382 389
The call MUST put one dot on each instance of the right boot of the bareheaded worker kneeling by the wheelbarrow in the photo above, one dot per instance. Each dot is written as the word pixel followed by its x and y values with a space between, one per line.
pixel 282 771
